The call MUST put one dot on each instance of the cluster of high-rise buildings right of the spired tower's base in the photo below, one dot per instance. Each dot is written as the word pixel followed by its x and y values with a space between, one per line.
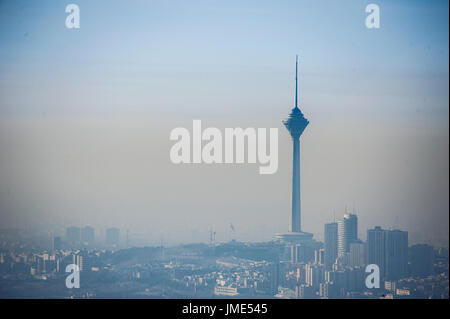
pixel 336 268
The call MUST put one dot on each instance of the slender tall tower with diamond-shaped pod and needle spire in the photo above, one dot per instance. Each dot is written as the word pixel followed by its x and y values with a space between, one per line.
pixel 296 124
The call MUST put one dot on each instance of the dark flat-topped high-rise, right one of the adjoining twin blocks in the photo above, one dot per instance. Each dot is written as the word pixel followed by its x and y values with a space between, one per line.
pixel 396 254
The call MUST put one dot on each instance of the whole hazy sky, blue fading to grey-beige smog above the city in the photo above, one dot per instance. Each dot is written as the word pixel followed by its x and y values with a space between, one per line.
pixel 86 114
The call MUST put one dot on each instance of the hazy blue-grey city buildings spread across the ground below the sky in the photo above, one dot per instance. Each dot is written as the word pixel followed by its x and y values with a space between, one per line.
pixel 252 270
